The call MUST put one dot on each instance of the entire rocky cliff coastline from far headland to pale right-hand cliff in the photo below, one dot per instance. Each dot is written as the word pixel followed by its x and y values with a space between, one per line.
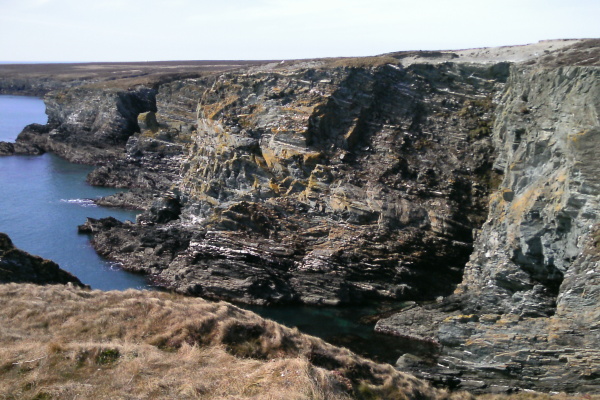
pixel 441 177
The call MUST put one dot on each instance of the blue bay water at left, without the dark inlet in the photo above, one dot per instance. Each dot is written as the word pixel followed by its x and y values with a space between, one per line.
pixel 44 198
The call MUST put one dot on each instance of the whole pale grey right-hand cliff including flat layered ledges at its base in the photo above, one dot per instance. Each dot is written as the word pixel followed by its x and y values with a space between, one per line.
pixel 527 311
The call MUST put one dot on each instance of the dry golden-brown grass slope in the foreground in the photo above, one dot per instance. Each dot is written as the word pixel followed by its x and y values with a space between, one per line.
pixel 60 342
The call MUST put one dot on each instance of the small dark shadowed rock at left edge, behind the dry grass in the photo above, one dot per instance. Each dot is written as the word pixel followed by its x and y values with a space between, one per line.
pixel 20 267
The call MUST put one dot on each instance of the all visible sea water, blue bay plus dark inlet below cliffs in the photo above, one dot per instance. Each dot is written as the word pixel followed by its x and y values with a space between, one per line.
pixel 43 199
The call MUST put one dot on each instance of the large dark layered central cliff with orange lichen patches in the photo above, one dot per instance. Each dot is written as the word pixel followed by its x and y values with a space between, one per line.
pixel 323 186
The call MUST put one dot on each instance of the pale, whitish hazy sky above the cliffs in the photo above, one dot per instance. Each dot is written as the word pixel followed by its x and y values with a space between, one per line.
pixel 156 30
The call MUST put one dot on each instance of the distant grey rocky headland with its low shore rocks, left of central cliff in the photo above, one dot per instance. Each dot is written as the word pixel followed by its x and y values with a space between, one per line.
pixel 118 131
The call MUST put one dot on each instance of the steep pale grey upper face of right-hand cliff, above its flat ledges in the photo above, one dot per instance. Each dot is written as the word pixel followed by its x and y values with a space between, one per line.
pixel 544 209
